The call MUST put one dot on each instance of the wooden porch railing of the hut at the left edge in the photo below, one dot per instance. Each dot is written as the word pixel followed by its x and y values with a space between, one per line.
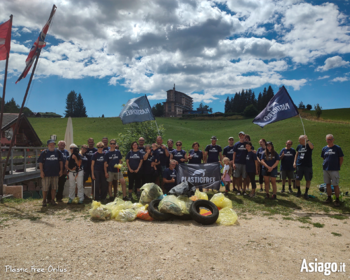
pixel 22 165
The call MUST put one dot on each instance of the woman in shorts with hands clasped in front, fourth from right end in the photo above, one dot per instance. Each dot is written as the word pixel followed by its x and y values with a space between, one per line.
pixel 270 162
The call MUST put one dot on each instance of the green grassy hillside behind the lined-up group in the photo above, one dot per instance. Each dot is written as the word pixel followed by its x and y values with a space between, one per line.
pixel 189 131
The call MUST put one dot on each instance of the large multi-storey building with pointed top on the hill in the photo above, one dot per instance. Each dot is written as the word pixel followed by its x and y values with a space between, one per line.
pixel 177 103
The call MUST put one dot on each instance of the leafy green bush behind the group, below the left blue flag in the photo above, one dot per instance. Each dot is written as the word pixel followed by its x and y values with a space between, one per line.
pixel 147 130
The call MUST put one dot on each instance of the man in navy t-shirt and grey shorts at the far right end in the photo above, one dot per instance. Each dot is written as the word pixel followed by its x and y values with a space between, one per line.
pixel 332 161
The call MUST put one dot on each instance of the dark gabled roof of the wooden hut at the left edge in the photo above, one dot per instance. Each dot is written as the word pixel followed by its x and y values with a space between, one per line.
pixel 25 136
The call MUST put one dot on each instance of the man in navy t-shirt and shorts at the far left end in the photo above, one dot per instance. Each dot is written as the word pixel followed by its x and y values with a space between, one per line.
pixel 51 168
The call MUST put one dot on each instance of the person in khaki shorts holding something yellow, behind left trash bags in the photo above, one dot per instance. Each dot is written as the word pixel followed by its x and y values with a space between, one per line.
pixel 112 173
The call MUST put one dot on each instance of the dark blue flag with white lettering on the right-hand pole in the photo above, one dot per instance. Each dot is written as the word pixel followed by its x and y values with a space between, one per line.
pixel 280 107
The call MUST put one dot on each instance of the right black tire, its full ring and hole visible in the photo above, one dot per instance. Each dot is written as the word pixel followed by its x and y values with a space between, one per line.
pixel 204 220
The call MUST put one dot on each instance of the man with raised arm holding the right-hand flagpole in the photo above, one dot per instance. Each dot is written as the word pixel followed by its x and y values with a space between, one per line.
pixel 303 164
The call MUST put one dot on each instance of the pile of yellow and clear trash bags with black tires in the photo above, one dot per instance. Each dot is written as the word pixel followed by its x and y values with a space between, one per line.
pixel 186 204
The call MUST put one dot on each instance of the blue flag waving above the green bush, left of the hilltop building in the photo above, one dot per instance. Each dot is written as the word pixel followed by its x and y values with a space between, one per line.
pixel 136 110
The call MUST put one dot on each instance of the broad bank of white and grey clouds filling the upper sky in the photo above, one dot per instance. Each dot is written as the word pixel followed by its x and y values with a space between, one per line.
pixel 192 43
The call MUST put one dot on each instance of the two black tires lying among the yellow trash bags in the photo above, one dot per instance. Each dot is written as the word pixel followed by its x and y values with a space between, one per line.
pixel 194 212
